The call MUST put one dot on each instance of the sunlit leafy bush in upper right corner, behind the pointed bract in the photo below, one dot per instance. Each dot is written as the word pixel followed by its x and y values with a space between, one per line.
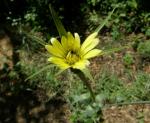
pixel 128 17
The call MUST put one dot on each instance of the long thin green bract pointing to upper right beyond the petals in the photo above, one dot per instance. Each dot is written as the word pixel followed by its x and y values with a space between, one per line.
pixel 105 21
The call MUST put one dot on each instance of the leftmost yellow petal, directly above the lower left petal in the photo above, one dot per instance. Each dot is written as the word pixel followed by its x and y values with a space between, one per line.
pixel 54 51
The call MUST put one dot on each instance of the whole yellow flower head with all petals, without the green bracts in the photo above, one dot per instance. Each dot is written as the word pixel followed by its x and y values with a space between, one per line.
pixel 70 53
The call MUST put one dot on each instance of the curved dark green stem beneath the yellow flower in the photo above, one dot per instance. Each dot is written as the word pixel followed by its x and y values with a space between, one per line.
pixel 85 81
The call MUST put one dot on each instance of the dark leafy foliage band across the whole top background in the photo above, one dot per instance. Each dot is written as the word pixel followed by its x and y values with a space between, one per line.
pixel 130 16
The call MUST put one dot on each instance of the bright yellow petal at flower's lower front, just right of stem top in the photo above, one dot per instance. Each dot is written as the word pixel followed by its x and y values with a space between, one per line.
pixel 82 64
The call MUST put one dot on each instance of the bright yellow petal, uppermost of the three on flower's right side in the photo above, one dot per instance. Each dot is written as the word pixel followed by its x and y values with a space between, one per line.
pixel 88 40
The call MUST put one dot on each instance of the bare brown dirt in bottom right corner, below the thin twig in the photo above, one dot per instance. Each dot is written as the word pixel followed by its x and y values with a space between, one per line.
pixel 127 114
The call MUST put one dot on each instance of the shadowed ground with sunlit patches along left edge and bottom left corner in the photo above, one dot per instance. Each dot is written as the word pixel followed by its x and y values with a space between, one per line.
pixel 18 103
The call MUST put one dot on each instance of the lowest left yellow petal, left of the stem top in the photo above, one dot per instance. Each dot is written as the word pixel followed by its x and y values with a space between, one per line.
pixel 59 62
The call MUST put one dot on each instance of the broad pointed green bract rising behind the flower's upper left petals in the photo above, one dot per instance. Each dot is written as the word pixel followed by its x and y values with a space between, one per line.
pixel 59 25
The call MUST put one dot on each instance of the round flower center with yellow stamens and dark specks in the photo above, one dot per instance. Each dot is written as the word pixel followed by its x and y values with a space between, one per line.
pixel 72 57
